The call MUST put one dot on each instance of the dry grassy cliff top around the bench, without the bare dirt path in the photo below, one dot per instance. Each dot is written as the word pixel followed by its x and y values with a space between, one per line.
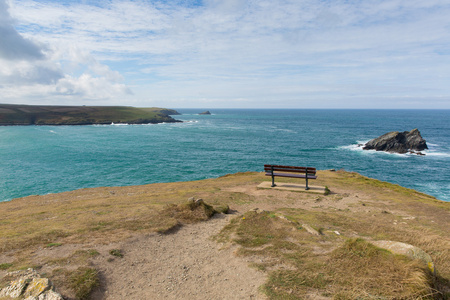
pixel 337 263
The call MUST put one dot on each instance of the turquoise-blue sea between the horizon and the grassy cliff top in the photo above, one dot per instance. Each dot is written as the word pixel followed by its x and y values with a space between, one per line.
pixel 38 160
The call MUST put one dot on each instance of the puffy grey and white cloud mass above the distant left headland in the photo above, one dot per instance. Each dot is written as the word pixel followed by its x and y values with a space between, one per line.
pixel 51 72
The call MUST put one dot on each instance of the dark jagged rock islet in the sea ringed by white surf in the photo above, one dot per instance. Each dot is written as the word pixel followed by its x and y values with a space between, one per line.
pixel 398 142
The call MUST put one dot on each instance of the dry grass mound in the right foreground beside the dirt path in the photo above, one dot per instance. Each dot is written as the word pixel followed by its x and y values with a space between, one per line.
pixel 298 262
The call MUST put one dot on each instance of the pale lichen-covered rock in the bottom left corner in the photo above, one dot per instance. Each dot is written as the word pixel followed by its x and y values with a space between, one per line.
pixel 30 286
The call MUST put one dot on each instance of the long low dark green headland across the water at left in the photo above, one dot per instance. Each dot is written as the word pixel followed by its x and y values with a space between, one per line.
pixel 82 115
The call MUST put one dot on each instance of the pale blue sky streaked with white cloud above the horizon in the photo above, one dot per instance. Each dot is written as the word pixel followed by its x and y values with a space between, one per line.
pixel 380 54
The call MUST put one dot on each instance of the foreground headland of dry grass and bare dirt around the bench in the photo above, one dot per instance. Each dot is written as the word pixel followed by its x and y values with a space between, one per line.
pixel 154 241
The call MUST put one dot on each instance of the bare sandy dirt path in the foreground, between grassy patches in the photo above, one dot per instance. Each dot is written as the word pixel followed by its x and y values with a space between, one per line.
pixel 186 264
